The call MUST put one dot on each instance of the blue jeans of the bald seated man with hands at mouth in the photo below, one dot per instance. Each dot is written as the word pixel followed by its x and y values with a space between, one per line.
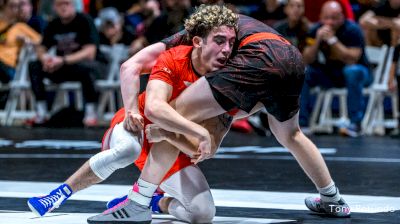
pixel 353 77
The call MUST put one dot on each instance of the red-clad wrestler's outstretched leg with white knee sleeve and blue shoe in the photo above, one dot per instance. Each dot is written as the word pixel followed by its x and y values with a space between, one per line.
pixel 124 149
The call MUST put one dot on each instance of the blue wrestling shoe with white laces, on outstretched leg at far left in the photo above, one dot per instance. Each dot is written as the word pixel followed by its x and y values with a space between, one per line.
pixel 42 205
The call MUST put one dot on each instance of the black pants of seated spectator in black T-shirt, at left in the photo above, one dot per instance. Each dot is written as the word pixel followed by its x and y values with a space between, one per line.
pixel 84 72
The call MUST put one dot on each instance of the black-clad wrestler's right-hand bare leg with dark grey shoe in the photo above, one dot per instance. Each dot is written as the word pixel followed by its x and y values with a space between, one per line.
pixel 310 159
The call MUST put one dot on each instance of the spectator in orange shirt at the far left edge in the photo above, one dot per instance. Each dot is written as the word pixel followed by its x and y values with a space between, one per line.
pixel 12 37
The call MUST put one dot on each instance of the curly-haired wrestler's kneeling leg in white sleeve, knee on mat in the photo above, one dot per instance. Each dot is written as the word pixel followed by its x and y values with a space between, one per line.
pixel 191 196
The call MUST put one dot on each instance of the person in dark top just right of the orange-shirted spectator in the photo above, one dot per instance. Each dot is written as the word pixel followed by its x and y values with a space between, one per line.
pixel 25 15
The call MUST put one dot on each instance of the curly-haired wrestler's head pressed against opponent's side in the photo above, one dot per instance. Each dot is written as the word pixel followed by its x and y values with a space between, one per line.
pixel 212 29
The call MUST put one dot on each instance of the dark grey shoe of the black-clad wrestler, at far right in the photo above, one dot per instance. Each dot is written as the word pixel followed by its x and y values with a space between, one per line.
pixel 338 209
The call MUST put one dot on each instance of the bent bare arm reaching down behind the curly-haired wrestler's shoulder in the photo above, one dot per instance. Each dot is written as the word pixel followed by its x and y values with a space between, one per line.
pixel 130 71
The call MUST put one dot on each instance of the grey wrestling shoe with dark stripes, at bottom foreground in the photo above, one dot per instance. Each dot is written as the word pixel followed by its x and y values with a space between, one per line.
pixel 127 211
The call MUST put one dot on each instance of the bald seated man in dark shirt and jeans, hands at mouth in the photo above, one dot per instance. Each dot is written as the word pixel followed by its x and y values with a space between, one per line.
pixel 341 42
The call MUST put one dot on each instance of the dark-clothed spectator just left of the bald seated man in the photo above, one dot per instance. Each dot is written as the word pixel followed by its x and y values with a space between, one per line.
pixel 295 27
